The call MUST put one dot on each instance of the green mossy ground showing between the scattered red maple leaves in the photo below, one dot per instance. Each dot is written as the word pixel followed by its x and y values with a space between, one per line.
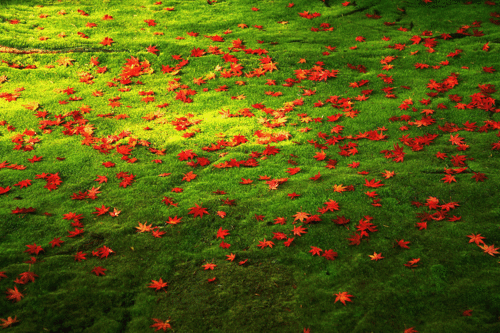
pixel 279 289
